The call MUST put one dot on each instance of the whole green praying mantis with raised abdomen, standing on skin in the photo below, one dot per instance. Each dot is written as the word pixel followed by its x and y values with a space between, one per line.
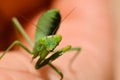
pixel 46 40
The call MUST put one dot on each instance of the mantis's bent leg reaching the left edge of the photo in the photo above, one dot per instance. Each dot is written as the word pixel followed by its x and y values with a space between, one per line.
pixel 13 44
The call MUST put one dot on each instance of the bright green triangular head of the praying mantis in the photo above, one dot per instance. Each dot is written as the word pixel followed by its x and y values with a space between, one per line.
pixel 50 42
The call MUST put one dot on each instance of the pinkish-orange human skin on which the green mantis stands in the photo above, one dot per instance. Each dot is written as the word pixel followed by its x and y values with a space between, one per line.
pixel 88 26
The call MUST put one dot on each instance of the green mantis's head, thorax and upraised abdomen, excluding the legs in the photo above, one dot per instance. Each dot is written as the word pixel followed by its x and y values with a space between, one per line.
pixel 45 40
